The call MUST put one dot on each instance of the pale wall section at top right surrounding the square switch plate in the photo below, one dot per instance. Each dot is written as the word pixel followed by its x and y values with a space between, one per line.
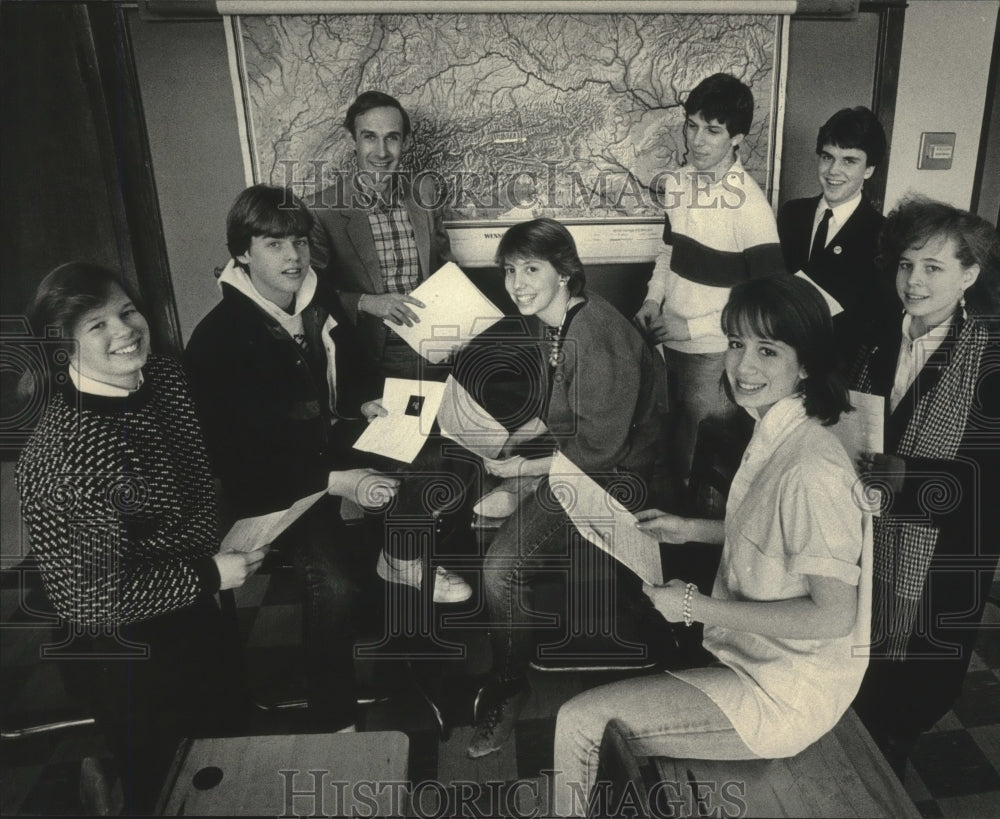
pixel 947 47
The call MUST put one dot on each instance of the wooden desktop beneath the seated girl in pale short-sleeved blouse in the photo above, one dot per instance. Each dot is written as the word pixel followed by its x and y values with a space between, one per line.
pixel 841 774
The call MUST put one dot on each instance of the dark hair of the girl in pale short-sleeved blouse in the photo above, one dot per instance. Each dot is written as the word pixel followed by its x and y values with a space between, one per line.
pixel 789 309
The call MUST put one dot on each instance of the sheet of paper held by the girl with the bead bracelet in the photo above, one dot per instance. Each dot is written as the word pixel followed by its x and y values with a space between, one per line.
pixel 604 521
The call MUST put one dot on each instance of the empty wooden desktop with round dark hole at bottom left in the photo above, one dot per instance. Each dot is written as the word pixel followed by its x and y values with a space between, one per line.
pixel 363 774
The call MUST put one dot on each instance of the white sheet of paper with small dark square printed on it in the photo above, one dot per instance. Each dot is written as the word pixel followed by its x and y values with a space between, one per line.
pixel 412 407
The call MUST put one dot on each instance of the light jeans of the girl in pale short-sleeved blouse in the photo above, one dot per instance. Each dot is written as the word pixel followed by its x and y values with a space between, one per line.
pixel 663 716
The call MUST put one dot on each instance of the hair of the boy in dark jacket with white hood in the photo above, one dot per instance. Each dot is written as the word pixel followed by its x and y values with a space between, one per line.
pixel 265 210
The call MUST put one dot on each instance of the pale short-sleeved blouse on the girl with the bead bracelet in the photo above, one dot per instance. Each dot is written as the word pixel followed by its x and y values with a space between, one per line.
pixel 791 513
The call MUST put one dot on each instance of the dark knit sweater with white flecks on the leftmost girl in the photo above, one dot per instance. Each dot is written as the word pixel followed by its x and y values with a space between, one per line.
pixel 119 503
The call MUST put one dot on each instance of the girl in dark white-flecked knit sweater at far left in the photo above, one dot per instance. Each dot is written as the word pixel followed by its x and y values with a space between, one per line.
pixel 118 501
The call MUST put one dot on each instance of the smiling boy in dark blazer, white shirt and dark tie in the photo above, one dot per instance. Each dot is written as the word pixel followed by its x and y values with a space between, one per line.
pixel 833 237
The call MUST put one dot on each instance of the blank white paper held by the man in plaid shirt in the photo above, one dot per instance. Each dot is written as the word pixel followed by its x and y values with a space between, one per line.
pixel 454 313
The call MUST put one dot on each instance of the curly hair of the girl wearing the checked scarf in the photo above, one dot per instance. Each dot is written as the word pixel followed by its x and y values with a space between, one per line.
pixel 917 220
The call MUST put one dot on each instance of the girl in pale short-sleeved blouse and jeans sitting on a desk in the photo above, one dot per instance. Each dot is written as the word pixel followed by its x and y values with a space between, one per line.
pixel 791 599
